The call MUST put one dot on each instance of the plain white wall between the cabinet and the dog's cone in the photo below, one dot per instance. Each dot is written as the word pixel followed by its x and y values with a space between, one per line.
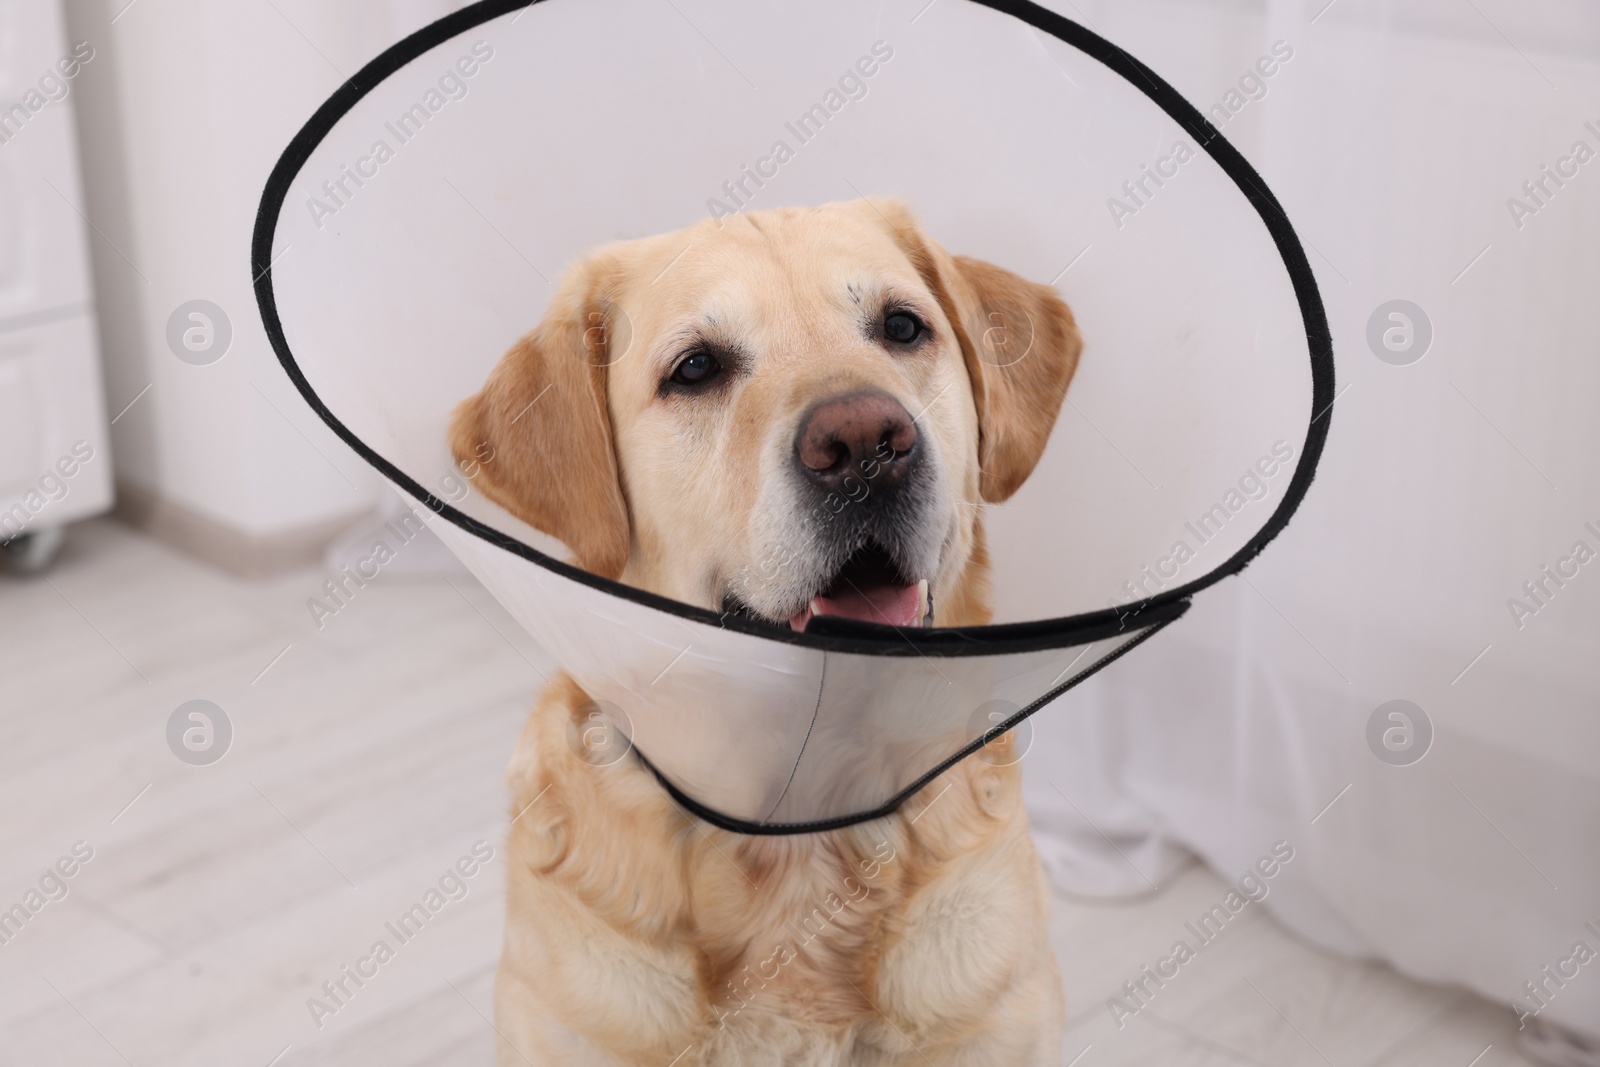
pixel 182 118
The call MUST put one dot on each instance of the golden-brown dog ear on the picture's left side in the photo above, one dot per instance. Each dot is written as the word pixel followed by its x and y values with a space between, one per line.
pixel 537 439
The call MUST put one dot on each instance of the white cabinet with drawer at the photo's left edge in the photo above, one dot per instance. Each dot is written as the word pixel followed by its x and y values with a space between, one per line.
pixel 55 455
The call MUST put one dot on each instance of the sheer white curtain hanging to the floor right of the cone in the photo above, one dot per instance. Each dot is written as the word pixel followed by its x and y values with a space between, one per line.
pixel 1396 138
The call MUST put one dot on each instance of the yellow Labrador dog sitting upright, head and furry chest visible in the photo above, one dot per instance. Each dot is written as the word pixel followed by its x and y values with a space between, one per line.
pixel 695 398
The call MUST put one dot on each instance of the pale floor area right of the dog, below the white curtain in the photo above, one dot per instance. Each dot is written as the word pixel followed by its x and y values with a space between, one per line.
pixel 1257 996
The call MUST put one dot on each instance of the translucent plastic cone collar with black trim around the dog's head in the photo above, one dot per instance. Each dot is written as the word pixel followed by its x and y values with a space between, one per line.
pixel 1207 370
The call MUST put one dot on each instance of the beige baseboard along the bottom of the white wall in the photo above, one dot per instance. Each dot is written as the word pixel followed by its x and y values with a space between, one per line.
pixel 225 546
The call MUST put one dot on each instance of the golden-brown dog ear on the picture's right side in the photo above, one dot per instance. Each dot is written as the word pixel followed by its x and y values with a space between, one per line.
pixel 1020 345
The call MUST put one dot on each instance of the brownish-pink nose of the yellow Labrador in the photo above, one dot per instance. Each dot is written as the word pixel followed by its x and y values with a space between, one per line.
pixel 863 439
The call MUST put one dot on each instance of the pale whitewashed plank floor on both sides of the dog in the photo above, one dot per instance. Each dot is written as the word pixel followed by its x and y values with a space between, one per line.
pixel 366 761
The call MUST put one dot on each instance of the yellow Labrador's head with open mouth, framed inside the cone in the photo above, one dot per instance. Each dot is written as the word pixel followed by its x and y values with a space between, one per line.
pixel 788 414
